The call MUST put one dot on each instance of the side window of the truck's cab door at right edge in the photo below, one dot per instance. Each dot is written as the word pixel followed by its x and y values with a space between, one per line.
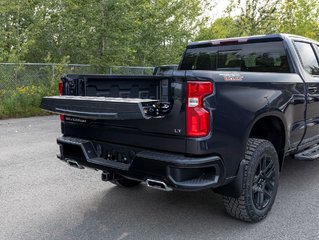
pixel 308 57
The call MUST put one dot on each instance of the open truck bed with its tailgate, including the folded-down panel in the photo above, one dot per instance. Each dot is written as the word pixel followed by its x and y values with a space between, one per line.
pixel 138 111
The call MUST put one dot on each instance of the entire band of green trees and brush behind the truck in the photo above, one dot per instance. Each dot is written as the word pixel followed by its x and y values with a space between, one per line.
pixel 120 32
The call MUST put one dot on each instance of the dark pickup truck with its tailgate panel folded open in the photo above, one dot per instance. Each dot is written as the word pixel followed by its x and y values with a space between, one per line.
pixel 225 120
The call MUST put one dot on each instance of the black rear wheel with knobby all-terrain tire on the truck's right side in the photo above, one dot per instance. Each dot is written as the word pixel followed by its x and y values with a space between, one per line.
pixel 260 183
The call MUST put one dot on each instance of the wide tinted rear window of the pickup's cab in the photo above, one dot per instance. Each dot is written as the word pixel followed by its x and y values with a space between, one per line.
pixel 252 57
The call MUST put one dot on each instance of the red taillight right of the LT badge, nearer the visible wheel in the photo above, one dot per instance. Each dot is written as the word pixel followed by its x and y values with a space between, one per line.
pixel 197 117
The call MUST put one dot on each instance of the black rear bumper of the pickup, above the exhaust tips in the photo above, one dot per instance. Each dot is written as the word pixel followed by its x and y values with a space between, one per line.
pixel 176 170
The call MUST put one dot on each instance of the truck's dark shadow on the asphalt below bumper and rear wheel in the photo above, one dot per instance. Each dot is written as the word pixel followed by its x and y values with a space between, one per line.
pixel 142 213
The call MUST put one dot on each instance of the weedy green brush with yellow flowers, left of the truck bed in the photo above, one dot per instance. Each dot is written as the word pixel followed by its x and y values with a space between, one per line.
pixel 22 87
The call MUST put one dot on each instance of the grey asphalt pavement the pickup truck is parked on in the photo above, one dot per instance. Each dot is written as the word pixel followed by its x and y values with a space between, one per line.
pixel 43 198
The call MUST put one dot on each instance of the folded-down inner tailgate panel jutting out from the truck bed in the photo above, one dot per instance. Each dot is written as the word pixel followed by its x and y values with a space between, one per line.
pixel 102 107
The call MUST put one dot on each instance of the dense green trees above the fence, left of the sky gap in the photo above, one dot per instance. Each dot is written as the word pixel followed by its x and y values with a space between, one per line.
pixel 100 32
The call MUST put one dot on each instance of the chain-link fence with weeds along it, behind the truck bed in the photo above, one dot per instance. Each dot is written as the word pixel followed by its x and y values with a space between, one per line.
pixel 23 85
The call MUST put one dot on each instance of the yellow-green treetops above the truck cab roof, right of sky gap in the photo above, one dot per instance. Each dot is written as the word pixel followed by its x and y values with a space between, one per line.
pixel 251 17
